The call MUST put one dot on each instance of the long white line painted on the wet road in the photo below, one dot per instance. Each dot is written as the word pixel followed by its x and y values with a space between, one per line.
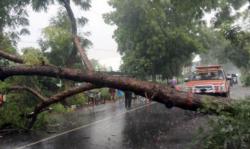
pixel 83 126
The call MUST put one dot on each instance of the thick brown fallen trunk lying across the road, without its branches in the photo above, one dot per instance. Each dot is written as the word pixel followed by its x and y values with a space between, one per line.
pixel 157 92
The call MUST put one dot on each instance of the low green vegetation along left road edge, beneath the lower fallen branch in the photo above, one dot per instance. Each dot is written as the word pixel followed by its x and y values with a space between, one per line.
pixel 13 112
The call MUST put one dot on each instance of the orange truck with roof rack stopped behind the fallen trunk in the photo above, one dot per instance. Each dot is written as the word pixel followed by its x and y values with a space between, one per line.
pixel 210 80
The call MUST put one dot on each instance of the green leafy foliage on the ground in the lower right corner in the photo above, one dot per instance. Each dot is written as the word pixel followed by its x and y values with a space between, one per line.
pixel 230 130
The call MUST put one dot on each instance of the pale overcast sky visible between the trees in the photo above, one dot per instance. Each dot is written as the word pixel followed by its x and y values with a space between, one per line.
pixel 104 47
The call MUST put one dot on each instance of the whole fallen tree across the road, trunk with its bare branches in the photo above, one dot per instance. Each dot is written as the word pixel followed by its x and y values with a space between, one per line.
pixel 154 91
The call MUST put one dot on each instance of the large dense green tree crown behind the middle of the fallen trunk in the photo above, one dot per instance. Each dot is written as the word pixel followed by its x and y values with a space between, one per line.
pixel 154 37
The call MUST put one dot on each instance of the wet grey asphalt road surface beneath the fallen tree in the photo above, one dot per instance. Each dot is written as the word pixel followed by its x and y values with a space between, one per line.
pixel 111 126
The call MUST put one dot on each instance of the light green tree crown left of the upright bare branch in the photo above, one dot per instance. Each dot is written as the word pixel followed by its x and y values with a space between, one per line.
pixel 57 42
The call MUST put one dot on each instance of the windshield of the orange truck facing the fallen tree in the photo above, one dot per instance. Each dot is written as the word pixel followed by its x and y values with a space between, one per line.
pixel 214 75
